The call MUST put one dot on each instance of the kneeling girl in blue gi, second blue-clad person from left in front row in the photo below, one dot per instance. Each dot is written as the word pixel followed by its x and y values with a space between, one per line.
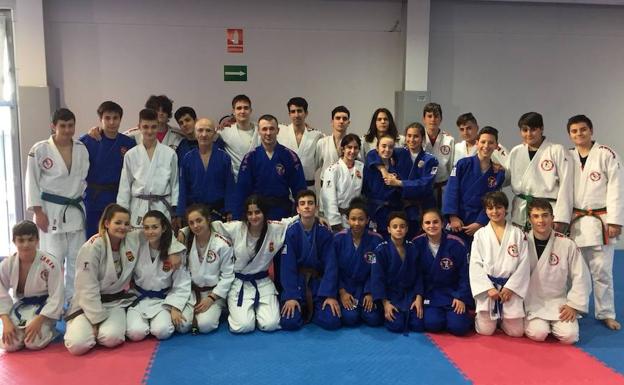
pixel 355 248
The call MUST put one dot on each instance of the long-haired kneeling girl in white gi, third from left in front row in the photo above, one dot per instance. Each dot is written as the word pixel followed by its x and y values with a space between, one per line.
pixel 161 292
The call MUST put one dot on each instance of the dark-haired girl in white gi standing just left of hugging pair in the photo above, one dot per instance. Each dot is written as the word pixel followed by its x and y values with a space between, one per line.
pixel 342 181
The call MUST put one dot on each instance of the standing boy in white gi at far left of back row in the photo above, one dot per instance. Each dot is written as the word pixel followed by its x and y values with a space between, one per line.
pixel 55 184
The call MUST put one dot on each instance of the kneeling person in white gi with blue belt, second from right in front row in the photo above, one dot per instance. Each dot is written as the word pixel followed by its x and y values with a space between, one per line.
pixel 499 270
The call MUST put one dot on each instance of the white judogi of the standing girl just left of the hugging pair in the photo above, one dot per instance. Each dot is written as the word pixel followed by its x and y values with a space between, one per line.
pixel 340 185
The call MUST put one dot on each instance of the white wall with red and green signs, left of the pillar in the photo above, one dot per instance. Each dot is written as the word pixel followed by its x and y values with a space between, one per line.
pixel 331 53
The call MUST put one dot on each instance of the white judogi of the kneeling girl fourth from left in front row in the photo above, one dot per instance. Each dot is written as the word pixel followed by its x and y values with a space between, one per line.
pixel 214 268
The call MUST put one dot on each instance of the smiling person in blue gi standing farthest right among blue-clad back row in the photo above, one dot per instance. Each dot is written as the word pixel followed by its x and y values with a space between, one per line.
pixel 470 180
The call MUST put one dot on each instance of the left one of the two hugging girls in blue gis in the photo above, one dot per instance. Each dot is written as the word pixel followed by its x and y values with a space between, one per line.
pixel 382 198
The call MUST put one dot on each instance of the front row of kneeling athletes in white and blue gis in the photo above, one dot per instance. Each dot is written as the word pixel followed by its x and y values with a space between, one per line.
pixel 351 278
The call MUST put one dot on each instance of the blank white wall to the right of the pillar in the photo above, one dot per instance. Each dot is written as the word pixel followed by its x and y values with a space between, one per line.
pixel 500 60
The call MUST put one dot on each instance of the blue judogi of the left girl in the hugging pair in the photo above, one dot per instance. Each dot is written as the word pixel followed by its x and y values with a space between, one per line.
pixel 382 199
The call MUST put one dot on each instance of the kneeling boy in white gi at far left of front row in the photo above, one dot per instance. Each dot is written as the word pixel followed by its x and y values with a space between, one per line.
pixel 36 281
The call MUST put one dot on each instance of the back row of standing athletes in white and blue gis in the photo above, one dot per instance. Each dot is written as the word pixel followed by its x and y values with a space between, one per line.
pixel 402 178
